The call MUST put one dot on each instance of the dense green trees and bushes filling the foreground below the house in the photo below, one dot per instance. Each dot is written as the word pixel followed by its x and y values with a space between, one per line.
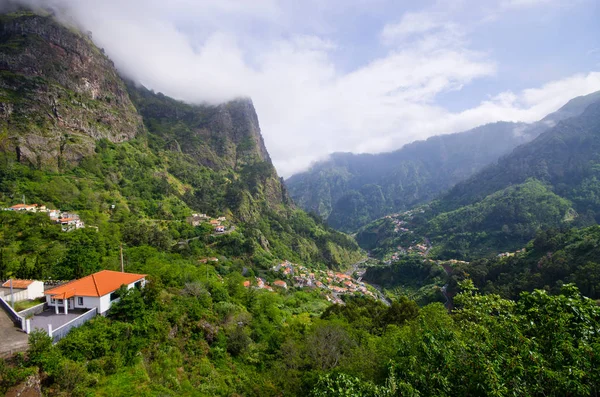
pixel 189 339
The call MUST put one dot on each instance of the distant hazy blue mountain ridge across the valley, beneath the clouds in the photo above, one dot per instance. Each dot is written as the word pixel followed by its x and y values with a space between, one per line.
pixel 351 190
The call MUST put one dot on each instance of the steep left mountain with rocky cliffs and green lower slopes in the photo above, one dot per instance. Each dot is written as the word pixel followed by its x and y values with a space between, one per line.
pixel 138 173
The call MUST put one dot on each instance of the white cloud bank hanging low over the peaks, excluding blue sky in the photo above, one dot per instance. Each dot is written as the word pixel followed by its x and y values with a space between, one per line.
pixel 287 61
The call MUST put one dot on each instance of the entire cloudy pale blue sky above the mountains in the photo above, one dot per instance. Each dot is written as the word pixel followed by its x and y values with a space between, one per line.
pixel 362 76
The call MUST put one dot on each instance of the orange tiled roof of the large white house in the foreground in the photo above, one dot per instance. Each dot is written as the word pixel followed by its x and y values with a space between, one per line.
pixel 97 284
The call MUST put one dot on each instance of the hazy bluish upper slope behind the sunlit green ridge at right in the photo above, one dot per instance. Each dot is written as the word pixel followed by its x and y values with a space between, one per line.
pixel 565 157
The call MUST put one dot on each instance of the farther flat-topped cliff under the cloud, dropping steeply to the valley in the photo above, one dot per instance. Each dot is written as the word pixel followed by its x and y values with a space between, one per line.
pixel 225 138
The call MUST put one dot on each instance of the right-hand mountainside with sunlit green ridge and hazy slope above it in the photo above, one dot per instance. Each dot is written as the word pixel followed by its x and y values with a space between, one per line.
pixel 549 182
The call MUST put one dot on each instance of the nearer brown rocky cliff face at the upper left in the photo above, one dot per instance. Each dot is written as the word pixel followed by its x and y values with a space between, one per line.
pixel 58 93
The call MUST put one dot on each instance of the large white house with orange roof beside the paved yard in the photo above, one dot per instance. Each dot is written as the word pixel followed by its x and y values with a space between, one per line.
pixel 94 291
